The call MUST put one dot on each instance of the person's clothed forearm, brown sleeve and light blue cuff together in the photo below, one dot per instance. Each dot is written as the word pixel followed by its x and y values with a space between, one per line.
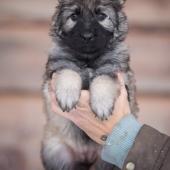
pixel 138 147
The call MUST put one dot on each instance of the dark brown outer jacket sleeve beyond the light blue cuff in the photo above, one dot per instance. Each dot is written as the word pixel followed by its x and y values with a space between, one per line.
pixel 151 150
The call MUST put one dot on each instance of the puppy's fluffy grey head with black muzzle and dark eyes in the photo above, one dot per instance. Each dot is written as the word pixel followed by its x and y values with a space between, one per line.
pixel 89 26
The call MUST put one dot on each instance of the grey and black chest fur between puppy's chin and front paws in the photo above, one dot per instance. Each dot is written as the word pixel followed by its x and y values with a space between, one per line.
pixel 90 66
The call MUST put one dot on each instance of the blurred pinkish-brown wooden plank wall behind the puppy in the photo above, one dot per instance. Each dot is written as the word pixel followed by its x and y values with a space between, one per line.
pixel 24 44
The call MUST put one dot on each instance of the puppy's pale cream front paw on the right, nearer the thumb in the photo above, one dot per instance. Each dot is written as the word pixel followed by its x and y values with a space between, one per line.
pixel 104 91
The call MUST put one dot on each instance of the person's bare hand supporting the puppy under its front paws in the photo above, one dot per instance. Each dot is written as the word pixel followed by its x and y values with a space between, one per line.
pixel 85 119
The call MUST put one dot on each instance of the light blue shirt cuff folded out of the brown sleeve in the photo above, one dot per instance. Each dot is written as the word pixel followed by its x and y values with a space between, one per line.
pixel 120 141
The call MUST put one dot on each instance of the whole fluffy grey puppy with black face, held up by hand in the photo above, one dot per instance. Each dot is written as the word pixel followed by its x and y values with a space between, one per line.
pixel 88 51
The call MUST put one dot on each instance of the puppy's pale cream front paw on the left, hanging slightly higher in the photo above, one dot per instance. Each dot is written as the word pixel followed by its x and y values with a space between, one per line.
pixel 68 88
